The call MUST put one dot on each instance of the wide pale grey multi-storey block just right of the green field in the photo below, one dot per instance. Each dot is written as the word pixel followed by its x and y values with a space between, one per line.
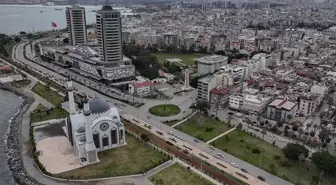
pixel 210 64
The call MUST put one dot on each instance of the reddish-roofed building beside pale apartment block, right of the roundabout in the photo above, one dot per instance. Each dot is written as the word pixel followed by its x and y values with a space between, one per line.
pixel 219 96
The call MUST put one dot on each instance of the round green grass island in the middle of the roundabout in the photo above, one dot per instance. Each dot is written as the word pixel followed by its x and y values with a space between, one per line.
pixel 165 110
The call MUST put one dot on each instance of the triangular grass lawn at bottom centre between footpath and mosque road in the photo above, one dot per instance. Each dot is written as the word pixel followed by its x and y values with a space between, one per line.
pixel 177 174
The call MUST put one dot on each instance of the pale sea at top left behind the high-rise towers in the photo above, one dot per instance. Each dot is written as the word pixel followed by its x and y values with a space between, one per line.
pixel 33 18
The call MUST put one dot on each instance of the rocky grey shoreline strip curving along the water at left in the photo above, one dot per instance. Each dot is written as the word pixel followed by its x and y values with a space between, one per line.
pixel 14 162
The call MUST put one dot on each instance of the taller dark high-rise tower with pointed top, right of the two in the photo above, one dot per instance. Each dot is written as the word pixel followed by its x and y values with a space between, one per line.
pixel 108 28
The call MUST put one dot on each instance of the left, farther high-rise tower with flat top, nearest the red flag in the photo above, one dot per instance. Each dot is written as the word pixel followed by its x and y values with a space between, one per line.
pixel 76 23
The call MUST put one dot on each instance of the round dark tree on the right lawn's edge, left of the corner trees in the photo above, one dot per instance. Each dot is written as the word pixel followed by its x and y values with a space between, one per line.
pixel 292 151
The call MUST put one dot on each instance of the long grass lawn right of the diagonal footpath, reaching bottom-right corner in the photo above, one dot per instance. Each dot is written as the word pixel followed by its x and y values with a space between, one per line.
pixel 240 144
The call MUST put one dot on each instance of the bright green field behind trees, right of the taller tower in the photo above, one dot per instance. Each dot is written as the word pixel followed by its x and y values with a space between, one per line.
pixel 187 59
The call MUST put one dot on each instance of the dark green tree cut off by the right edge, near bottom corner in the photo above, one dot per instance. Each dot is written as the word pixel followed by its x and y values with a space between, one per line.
pixel 324 161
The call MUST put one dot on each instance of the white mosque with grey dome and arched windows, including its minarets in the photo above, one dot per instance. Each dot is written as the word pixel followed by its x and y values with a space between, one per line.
pixel 96 128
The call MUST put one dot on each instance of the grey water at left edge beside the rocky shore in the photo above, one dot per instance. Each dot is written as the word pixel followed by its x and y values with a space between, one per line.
pixel 9 106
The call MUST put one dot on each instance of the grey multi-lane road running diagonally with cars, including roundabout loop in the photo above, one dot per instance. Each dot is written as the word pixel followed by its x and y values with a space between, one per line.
pixel 143 114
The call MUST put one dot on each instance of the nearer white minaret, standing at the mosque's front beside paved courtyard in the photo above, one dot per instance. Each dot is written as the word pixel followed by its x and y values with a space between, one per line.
pixel 90 148
